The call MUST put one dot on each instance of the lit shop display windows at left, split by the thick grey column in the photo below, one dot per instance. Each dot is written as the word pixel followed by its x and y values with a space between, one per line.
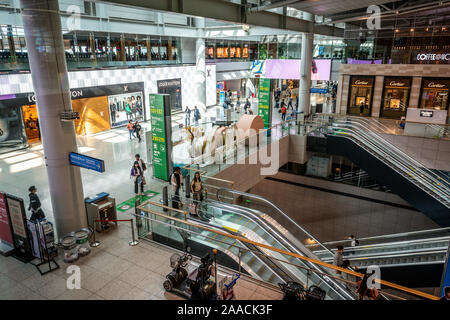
pixel 101 108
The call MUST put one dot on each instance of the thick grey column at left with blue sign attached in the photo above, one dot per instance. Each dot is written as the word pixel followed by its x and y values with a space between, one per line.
pixel 43 35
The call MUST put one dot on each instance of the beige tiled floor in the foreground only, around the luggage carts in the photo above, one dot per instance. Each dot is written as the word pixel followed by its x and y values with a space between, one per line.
pixel 112 271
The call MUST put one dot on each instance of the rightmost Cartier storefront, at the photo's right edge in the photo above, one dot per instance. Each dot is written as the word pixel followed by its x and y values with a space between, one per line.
pixel 434 93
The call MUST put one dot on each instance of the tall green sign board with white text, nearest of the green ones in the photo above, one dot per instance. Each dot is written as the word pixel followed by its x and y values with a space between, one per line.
pixel 159 138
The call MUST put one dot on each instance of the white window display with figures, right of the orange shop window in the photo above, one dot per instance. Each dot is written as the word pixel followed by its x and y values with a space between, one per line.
pixel 125 107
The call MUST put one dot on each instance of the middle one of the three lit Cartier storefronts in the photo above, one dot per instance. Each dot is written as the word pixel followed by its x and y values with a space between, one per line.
pixel 395 99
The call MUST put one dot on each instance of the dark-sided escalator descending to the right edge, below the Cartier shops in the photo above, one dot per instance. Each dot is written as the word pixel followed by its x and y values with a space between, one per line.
pixel 424 189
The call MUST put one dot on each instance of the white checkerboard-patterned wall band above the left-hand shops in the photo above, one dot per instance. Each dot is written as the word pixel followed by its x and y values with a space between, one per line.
pixel 22 83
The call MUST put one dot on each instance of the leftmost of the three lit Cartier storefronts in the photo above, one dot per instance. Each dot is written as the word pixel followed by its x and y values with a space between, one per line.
pixel 360 95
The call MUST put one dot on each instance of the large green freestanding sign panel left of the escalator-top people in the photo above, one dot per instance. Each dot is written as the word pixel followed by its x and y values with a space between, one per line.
pixel 161 135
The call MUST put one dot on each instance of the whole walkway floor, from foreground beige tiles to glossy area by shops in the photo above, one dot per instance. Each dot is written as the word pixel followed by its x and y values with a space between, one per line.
pixel 114 270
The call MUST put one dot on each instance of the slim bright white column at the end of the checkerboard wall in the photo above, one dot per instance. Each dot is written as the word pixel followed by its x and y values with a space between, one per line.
pixel 200 76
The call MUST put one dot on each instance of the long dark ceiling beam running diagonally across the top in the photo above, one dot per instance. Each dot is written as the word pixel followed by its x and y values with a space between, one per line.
pixel 230 12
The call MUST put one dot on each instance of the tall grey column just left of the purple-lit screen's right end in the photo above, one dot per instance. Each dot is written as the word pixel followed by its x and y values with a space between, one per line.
pixel 305 69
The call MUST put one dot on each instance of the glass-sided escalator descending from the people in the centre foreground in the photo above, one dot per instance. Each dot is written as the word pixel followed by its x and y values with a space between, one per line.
pixel 263 264
